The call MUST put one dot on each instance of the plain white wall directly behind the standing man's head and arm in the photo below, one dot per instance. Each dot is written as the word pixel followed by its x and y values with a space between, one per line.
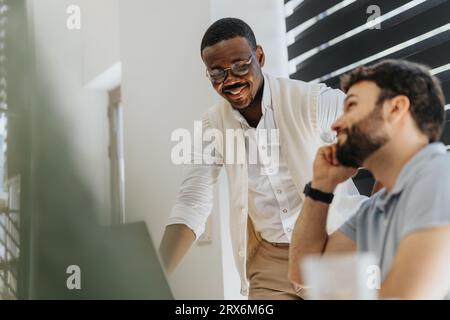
pixel 164 88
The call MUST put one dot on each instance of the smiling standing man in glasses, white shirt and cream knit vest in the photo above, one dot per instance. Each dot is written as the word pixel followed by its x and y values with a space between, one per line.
pixel 264 200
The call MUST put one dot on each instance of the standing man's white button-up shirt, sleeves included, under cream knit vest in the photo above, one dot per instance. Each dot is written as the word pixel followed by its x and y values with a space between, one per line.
pixel 273 199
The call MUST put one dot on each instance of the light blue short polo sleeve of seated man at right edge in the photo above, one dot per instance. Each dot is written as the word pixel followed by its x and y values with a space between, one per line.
pixel 428 203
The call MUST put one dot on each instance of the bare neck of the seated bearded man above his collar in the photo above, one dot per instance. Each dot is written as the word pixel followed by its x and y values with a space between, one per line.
pixel 387 163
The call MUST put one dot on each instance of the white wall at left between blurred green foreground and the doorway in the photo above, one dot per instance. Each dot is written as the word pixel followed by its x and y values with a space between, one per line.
pixel 82 112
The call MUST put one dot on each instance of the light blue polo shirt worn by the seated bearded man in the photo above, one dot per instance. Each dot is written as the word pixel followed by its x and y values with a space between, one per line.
pixel 420 199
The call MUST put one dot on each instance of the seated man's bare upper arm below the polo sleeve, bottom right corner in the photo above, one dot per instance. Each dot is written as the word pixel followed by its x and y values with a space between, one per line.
pixel 421 266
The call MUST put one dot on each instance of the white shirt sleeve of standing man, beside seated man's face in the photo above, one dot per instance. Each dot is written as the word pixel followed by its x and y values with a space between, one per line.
pixel 330 106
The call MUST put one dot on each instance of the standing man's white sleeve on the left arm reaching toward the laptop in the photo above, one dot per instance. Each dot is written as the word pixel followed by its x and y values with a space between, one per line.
pixel 195 197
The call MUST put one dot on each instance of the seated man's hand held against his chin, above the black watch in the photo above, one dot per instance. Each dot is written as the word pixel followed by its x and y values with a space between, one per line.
pixel 327 171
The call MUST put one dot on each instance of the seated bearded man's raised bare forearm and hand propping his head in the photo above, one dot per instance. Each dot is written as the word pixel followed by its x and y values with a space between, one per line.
pixel 310 234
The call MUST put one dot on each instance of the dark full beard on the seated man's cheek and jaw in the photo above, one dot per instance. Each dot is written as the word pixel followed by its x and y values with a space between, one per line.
pixel 363 139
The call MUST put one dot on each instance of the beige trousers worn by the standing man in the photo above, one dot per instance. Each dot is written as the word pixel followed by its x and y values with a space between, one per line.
pixel 267 273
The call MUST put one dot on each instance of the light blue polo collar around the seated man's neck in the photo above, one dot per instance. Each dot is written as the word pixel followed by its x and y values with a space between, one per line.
pixel 409 171
